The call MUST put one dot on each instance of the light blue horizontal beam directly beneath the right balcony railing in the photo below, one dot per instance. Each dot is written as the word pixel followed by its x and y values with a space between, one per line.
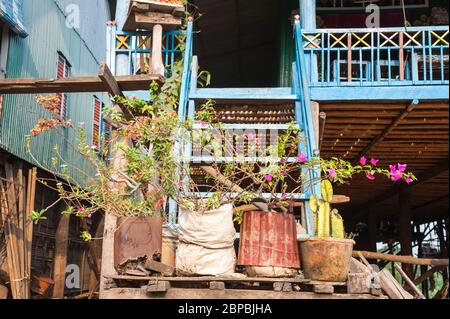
pixel 387 93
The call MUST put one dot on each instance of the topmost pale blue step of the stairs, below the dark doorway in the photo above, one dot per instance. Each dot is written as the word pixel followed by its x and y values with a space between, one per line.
pixel 244 94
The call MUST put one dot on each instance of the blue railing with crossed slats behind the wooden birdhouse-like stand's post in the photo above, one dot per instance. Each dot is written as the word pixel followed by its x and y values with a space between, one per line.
pixel 137 45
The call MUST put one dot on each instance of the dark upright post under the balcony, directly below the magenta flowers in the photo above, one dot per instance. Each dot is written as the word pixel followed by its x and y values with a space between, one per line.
pixel 405 225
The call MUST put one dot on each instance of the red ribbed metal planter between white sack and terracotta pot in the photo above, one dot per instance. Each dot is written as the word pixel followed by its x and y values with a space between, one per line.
pixel 268 239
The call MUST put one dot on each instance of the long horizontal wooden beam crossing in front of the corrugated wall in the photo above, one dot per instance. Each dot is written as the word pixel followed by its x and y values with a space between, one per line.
pixel 75 84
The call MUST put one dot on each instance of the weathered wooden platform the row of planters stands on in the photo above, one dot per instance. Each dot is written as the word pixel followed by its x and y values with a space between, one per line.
pixel 134 287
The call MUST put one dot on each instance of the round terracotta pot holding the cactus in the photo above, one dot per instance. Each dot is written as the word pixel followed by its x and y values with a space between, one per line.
pixel 326 259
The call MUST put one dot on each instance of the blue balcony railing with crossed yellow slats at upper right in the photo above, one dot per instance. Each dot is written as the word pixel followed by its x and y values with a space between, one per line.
pixel 373 57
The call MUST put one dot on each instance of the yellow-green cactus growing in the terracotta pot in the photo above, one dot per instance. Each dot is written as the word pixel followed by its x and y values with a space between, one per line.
pixel 327 222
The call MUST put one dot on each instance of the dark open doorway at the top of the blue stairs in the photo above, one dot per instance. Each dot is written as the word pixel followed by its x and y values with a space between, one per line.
pixel 237 41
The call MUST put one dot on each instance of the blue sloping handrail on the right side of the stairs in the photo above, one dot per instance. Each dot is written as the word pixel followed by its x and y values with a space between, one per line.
pixel 304 118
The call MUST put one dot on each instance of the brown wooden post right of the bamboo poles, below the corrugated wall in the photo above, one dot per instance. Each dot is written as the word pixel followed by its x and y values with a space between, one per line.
pixel 60 264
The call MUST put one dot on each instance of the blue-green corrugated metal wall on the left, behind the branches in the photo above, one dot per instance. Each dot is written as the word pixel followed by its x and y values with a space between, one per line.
pixel 36 56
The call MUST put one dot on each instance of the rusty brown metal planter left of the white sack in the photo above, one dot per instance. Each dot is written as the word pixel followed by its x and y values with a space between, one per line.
pixel 137 237
